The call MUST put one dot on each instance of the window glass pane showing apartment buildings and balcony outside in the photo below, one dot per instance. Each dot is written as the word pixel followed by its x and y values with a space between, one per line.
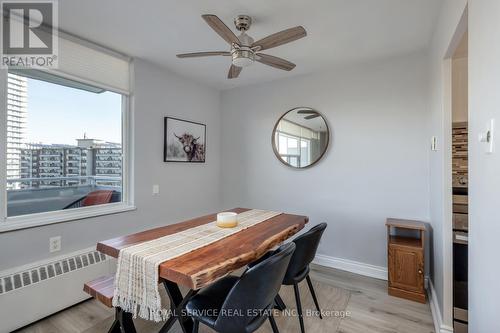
pixel 64 145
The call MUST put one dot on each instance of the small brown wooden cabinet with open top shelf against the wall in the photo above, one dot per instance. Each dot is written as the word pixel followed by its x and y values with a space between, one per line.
pixel 406 259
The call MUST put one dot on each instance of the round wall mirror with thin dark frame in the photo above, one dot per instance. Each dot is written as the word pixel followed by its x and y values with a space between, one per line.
pixel 300 137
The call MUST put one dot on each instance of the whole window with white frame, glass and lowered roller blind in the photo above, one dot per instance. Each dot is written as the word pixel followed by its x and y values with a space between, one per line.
pixel 65 138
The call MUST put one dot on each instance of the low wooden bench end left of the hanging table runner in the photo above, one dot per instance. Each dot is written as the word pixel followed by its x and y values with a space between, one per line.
pixel 102 289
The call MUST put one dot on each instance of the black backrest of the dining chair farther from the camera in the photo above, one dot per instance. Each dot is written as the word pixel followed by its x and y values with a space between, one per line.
pixel 305 251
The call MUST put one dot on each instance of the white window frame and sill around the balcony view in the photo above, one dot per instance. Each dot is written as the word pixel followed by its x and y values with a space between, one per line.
pixel 47 218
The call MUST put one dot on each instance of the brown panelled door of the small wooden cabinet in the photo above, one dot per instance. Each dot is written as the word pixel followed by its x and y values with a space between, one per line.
pixel 406 269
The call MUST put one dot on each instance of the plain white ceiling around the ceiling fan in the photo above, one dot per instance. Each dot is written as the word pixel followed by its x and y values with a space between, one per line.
pixel 339 32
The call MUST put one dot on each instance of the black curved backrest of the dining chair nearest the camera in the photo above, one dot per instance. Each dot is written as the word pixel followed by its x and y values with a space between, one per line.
pixel 254 292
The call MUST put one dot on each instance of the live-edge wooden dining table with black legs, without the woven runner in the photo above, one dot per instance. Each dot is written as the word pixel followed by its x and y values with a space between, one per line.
pixel 203 266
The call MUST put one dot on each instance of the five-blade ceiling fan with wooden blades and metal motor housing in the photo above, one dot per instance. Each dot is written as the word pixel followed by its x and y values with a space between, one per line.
pixel 244 50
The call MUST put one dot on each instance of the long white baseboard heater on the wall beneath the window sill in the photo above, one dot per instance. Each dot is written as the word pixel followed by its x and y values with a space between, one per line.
pixel 37 290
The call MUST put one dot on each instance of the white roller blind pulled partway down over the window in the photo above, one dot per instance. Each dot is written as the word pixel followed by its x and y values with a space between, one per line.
pixel 79 61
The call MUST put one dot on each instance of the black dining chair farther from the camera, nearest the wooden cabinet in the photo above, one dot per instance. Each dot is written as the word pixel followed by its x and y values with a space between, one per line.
pixel 298 269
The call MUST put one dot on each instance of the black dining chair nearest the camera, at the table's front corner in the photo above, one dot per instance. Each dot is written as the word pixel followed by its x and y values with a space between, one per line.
pixel 242 304
